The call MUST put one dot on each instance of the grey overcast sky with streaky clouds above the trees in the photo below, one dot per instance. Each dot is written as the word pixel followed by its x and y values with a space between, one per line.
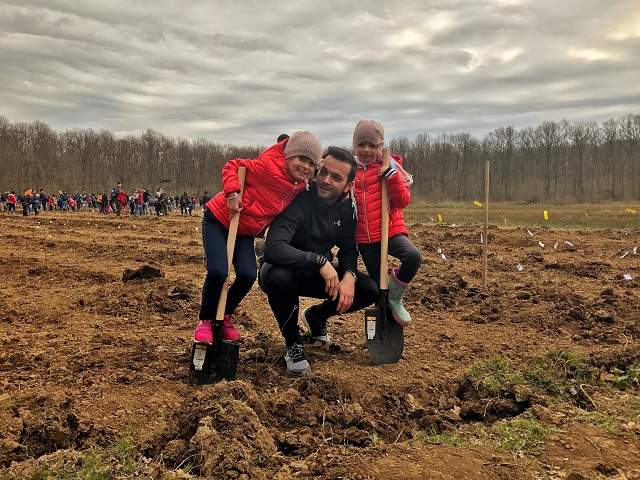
pixel 242 72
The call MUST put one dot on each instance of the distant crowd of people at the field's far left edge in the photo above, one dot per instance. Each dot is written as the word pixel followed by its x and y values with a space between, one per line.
pixel 32 201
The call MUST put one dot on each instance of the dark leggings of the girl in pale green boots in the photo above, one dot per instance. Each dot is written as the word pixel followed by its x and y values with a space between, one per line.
pixel 401 248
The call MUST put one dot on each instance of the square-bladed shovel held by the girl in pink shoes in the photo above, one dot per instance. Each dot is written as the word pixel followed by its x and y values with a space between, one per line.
pixel 219 361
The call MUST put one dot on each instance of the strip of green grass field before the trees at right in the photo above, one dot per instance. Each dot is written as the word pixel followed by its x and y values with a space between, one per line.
pixel 584 216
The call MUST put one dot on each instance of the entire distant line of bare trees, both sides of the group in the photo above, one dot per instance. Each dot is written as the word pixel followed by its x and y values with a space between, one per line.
pixel 555 161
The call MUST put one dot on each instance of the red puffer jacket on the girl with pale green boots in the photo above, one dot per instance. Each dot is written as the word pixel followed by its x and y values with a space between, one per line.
pixel 368 192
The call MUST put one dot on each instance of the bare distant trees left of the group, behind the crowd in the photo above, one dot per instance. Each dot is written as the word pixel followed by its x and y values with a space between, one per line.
pixel 34 155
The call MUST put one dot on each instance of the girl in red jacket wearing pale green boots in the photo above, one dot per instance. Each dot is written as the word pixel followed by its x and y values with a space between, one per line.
pixel 368 142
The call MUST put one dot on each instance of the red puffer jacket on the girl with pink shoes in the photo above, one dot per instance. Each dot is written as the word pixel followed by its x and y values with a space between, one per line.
pixel 268 190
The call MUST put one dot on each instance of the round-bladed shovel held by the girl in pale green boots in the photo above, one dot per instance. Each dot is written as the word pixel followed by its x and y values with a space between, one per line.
pixel 385 338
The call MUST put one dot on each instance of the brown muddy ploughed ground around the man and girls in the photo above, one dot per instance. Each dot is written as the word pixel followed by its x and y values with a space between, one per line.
pixel 86 358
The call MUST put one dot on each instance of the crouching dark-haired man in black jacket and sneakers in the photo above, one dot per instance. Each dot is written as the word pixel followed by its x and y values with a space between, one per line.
pixel 298 258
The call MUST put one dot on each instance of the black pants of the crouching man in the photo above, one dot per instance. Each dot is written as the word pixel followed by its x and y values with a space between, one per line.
pixel 284 286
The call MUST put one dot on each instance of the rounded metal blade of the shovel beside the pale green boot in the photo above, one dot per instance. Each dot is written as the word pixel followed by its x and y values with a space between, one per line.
pixel 385 338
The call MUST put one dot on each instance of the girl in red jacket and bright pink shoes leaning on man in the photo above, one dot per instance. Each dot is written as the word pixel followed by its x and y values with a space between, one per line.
pixel 272 182
